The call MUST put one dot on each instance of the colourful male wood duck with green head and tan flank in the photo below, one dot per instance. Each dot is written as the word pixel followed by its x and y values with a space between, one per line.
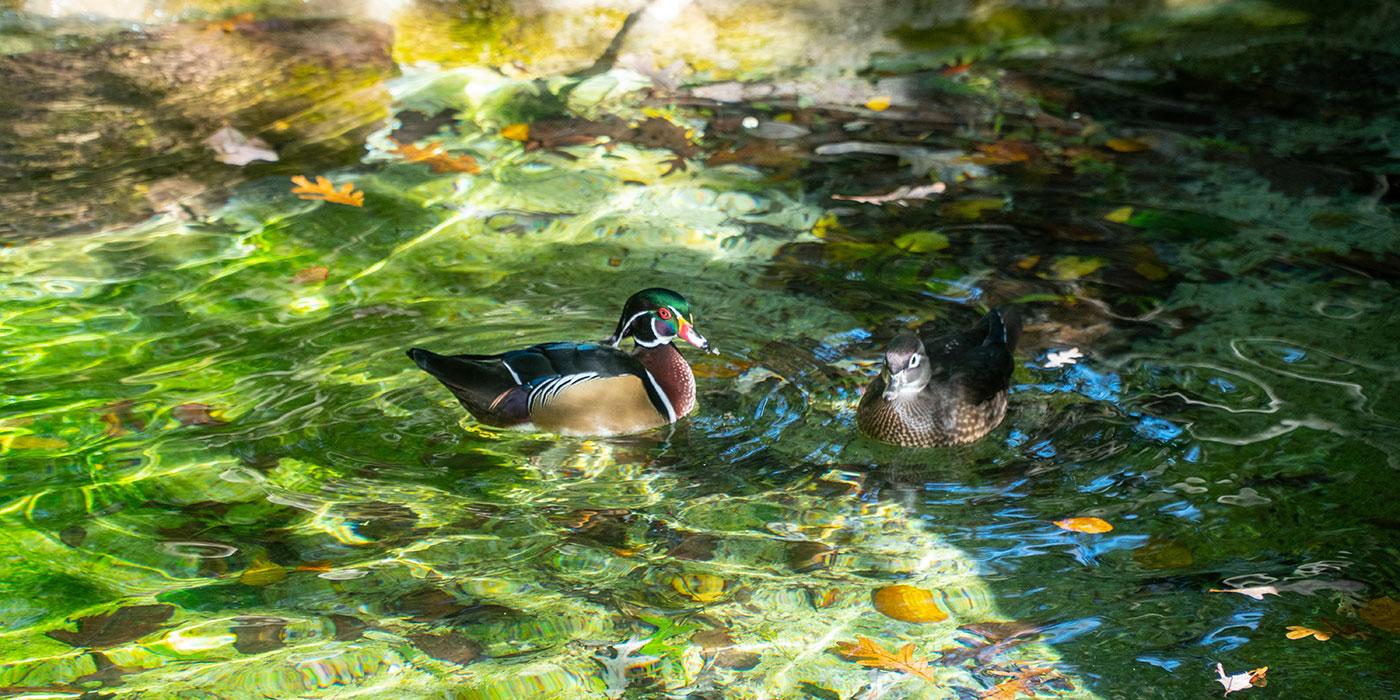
pixel 584 388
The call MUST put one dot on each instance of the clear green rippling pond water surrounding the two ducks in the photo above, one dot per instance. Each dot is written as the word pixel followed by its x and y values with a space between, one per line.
pixel 222 477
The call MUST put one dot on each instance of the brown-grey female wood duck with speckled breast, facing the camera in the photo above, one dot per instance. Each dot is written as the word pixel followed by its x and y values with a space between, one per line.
pixel 940 391
